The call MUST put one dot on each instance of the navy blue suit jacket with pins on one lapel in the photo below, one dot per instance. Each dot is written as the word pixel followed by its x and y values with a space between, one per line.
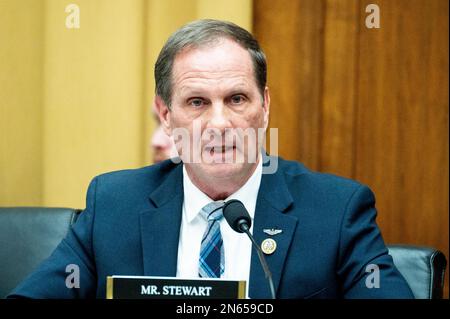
pixel 131 227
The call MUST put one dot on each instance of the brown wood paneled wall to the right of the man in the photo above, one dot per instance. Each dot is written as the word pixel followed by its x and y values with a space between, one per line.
pixel 369 104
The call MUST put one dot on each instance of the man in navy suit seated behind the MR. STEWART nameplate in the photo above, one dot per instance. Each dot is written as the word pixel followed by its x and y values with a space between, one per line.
pixel 156 221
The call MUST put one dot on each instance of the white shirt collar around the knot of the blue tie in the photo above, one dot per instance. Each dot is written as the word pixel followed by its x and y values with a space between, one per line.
pixel 195 199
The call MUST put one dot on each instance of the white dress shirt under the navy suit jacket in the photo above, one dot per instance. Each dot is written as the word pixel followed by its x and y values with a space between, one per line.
pixel 237 246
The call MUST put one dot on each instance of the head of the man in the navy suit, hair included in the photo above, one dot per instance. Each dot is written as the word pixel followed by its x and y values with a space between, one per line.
pixel 211 80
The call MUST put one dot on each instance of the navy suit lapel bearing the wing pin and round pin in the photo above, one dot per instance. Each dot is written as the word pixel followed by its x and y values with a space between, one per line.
pixel 274 199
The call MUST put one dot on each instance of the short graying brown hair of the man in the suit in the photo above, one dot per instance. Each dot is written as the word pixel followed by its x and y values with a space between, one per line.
pixel 199 33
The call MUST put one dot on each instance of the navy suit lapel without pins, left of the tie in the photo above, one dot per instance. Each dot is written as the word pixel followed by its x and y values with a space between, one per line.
pixel 160 226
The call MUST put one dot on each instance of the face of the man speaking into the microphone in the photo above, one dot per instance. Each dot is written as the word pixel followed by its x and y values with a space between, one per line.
pixel 215 91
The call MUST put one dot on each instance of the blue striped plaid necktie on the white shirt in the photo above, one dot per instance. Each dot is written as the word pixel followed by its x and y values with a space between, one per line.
pixel 212 261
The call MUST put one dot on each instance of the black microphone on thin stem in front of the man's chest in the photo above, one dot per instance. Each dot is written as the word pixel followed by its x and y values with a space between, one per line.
pixel 239 220
